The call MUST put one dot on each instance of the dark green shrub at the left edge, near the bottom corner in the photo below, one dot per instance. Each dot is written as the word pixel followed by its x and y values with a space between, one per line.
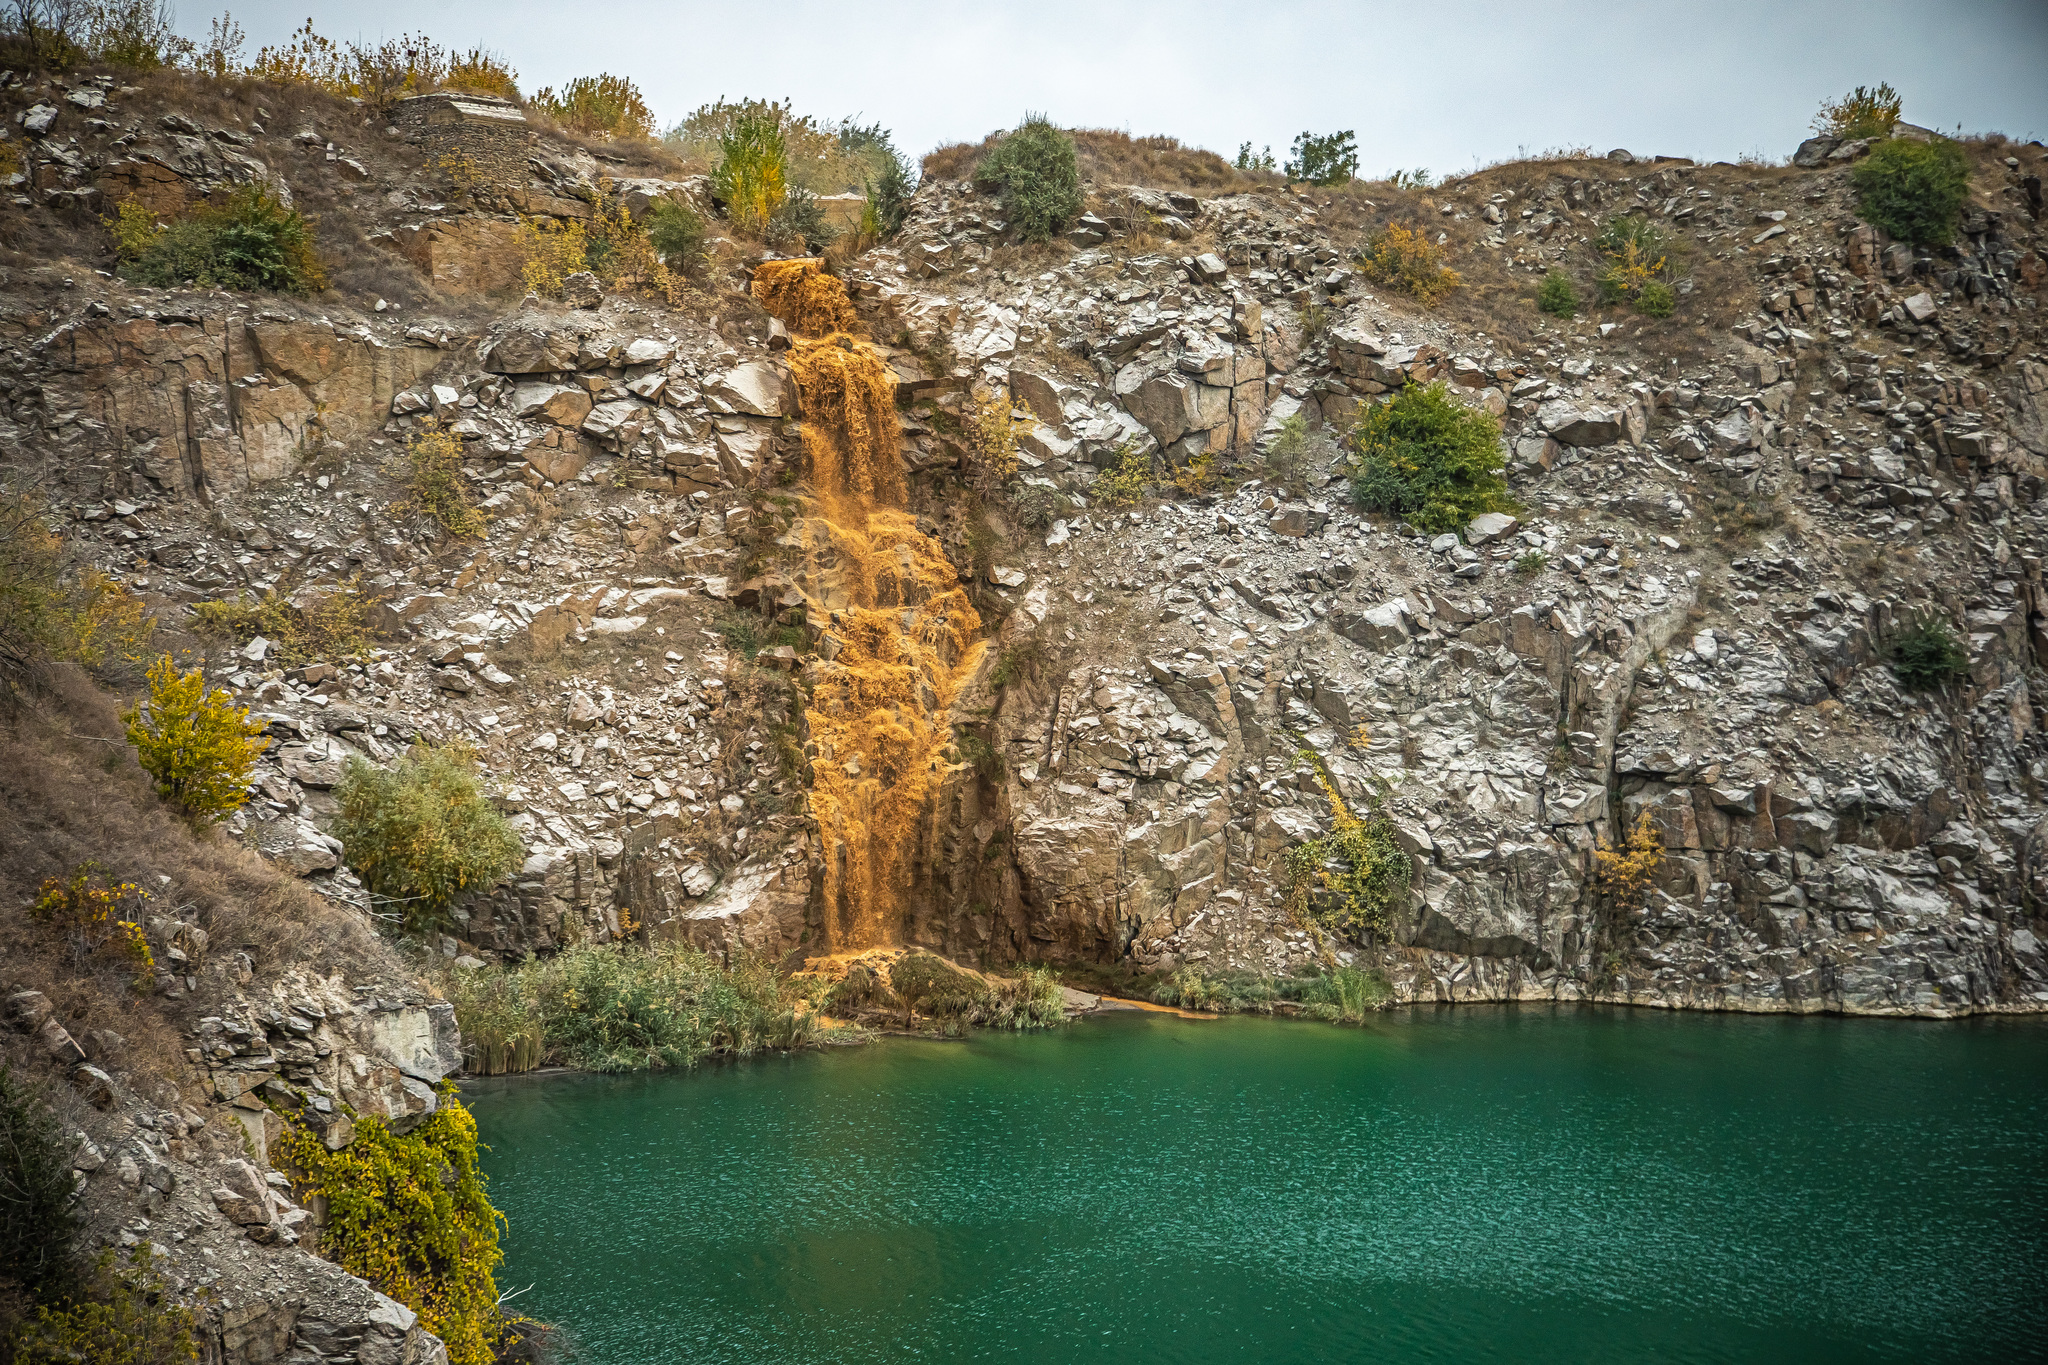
pixel 38 1215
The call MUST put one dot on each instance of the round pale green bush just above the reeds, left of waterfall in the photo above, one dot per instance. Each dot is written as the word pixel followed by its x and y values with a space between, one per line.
pixel 423 832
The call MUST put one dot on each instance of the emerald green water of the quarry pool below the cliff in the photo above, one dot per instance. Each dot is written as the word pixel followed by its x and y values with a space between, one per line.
pixel 1576 1186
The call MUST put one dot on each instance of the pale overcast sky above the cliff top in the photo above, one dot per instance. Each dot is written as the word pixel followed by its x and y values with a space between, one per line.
pixel 1426 83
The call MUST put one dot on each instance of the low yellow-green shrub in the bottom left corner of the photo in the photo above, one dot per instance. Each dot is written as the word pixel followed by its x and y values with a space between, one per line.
pixel 120 1317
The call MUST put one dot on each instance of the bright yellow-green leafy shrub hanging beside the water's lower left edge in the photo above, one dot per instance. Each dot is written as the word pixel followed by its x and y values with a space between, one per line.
pixel 411 1217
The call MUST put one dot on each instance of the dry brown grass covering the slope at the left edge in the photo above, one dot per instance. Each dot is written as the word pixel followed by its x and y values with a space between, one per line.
pixel 73 793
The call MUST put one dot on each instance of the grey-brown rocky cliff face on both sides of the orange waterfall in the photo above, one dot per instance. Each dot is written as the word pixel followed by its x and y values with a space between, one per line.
pixel 1723 527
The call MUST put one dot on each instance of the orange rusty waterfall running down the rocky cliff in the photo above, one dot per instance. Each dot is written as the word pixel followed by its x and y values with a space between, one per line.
pixel 900 633
